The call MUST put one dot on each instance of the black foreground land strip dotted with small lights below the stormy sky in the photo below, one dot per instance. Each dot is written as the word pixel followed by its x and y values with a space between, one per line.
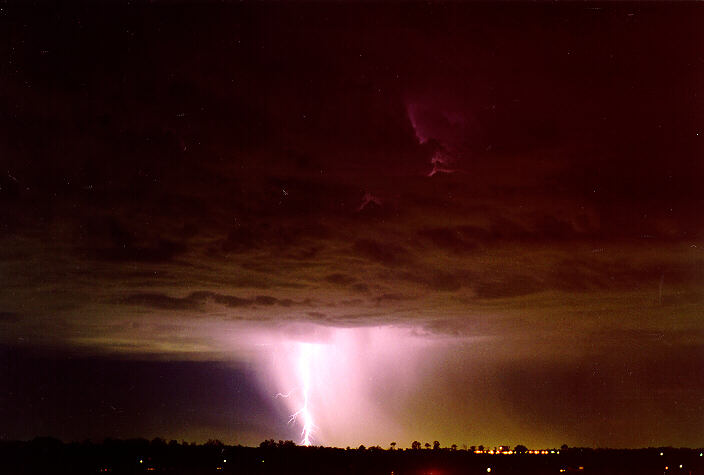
pixel 50 456
